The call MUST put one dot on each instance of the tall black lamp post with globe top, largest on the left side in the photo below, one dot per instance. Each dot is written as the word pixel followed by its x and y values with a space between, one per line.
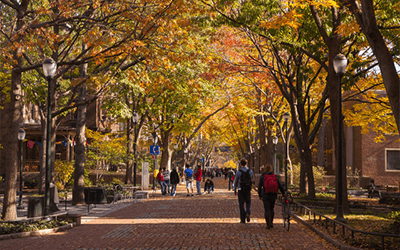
pixel 49 70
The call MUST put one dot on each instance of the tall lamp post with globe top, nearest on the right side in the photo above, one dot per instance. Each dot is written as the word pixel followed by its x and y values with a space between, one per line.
pixel 339 65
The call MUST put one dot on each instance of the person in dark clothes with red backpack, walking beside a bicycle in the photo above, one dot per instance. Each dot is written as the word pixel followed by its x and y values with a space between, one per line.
pixel 267 191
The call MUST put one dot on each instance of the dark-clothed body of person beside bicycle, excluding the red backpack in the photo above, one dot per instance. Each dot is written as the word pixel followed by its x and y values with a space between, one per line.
pixel 269 198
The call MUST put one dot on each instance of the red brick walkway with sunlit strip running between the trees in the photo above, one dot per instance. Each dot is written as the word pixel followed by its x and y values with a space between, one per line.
pixel 209 221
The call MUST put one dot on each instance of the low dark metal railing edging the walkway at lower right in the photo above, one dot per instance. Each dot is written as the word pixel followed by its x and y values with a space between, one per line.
pixel 328 221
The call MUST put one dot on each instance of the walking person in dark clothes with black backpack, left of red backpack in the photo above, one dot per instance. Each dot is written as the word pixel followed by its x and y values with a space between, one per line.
pixel 242 188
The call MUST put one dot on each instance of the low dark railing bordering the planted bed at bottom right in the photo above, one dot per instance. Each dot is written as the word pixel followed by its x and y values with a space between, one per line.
pixel 336 225
